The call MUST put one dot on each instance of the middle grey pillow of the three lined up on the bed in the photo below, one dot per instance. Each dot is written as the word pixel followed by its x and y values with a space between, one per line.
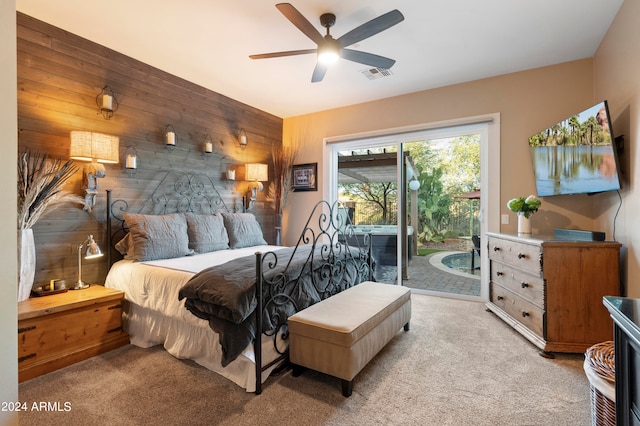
pixel 206 232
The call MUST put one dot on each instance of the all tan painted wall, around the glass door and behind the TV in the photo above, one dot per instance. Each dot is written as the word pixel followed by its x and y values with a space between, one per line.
pixel 527 101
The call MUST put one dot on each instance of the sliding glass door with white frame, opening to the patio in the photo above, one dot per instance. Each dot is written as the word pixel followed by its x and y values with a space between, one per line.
pixel 418 194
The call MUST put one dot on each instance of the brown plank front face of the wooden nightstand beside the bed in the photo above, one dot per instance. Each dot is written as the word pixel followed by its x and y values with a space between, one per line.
pixel 65 333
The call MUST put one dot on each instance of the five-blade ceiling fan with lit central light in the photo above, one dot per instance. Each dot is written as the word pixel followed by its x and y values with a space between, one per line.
pixel 330 49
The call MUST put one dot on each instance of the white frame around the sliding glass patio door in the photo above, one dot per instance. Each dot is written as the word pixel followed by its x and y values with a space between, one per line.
pixel 488 126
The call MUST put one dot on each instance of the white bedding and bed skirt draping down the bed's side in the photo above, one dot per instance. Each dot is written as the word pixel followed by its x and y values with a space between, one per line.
pixel 154 315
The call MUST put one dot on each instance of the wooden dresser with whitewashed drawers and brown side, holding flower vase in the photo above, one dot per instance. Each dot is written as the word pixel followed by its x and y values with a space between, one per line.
pixel 551 291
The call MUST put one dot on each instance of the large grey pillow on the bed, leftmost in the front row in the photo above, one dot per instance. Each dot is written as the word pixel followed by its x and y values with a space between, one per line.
pixel 157 236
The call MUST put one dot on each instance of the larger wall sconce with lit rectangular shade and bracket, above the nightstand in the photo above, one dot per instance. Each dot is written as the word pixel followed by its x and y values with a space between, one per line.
pixel 99 149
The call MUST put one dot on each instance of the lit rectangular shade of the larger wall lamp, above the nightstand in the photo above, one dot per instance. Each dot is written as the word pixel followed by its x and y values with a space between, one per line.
pixel 90 146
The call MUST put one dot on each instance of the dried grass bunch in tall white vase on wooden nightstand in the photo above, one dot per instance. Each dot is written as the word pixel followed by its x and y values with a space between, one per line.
pixel 40 190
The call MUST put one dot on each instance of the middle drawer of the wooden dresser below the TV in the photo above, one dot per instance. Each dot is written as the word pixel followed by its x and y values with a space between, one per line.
pixel 526 285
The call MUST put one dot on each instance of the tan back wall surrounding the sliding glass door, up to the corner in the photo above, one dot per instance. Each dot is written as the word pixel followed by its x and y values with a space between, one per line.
pixel 526 101
